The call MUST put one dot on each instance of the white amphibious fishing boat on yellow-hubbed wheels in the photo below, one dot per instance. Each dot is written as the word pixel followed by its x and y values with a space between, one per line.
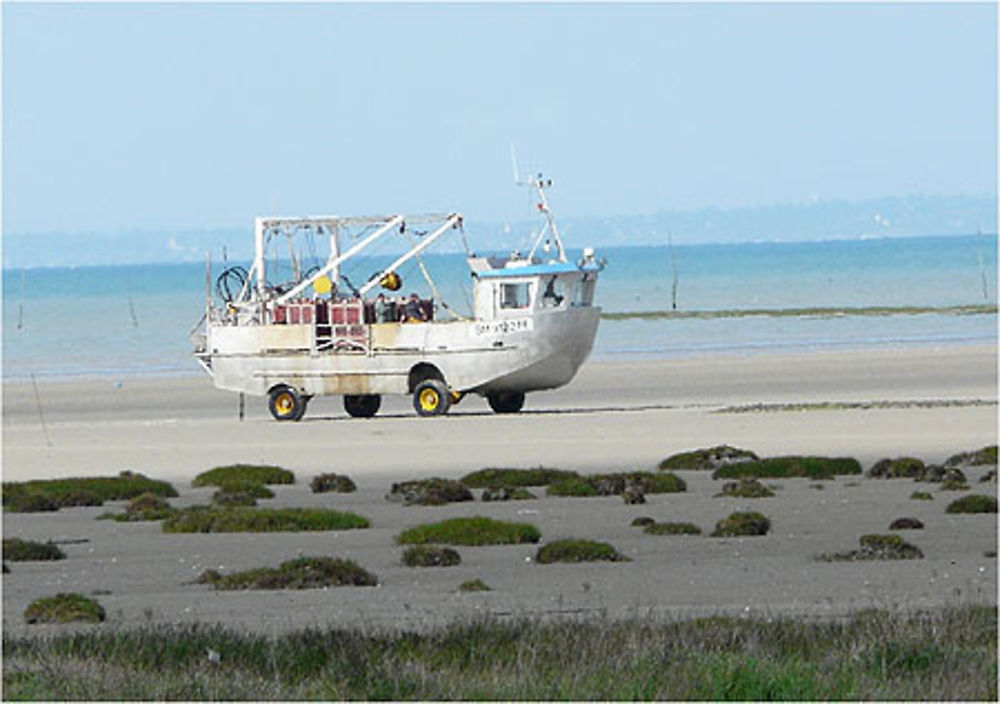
pixel 533 320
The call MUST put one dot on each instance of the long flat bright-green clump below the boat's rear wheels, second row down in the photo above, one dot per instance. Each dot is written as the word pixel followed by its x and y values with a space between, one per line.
pixel 205 519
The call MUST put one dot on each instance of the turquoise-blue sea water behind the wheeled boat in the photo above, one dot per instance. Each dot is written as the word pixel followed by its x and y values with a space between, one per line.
pixel 114 321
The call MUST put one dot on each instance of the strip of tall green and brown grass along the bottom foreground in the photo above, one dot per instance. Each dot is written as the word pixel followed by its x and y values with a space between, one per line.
pixel 948 654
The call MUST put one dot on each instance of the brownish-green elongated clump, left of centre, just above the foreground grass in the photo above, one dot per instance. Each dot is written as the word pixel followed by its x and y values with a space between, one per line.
pixel 300 573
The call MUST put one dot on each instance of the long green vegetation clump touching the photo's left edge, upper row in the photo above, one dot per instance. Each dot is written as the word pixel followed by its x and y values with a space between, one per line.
pixel 41 494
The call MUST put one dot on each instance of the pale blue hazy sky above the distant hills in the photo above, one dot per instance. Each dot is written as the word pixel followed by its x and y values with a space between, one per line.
pixel 186 116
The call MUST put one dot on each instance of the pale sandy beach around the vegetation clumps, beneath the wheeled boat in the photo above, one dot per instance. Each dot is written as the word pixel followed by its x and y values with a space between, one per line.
pixel 615 416
